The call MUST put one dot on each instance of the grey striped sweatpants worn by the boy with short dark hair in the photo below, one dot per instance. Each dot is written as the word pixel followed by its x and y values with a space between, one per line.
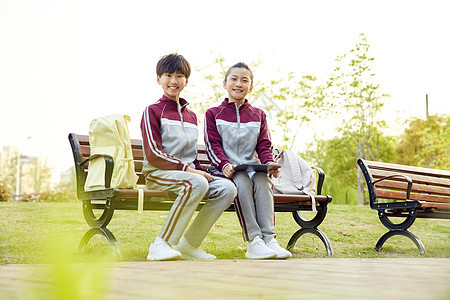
pixel 191 189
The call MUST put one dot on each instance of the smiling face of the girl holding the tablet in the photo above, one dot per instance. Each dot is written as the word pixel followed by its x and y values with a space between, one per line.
pixel 238 84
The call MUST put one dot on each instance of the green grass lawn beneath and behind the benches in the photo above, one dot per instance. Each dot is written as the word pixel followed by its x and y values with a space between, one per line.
pixel 36 232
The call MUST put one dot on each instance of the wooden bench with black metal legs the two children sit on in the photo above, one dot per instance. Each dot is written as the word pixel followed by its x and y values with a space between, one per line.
pixel 99 205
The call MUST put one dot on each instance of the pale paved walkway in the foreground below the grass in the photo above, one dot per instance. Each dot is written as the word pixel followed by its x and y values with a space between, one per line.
pixel 327 278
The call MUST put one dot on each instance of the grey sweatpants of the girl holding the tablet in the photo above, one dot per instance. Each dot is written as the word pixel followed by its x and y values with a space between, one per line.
pixel 254 205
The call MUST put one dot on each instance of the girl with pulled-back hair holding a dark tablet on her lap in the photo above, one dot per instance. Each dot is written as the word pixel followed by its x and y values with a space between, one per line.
pixel 235 133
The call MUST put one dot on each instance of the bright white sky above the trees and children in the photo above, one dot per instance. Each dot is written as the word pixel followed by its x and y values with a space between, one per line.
pixel 64 63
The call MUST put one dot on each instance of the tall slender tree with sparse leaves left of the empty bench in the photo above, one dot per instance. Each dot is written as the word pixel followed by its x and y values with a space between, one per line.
pixel 357 100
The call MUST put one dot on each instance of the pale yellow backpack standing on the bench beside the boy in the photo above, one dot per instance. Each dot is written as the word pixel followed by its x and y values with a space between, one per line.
pixel 109 135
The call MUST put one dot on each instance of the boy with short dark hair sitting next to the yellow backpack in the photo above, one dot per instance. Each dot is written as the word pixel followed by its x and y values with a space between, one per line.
pixel 169 133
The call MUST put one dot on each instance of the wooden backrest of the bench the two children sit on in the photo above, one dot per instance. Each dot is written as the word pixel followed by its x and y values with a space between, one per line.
pixel 82 150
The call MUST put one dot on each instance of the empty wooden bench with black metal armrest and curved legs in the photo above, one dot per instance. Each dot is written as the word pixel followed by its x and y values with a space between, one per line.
pixel 407 192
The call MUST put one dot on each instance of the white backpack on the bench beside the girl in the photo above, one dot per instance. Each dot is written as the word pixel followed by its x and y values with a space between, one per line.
pixel 296 176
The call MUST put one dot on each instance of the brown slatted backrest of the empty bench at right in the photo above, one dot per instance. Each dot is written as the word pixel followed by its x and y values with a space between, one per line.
pixel 430 186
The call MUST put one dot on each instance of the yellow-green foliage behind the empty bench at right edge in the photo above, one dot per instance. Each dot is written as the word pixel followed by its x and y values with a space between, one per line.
pixel 425 143
